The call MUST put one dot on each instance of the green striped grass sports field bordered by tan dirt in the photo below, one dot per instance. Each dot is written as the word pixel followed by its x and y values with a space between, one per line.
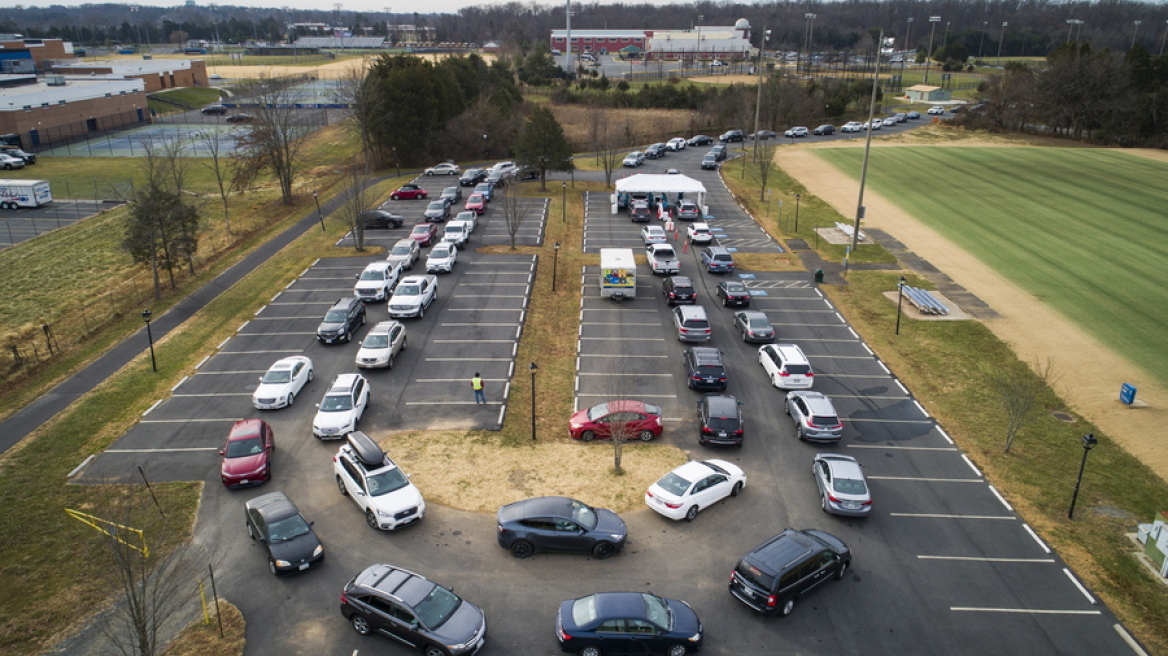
pixel 1083 229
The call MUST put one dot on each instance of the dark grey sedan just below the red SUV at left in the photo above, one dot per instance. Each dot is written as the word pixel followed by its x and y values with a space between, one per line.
pixel 280 529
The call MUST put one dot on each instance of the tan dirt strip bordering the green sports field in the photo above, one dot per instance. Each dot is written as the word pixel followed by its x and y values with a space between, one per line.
pixel 1034 331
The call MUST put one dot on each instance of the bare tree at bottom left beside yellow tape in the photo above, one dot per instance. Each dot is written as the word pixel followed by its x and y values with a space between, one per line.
pixel 148 563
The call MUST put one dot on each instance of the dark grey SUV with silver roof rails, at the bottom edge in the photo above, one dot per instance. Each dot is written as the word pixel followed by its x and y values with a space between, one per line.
pixel 413 610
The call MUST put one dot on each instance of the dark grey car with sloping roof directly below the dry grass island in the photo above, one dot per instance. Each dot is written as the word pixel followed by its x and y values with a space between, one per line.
pixel 558 524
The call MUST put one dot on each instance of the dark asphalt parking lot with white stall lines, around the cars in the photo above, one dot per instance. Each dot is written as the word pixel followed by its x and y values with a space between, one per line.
pixel 943 566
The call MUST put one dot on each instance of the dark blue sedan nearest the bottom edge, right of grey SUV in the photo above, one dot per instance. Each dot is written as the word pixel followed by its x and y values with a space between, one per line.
pixel 628 623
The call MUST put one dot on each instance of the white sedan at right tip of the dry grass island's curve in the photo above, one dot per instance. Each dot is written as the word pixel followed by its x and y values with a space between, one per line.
pixel 698 485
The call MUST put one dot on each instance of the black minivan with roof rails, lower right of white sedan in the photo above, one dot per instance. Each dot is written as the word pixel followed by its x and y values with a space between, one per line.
pixel 777 573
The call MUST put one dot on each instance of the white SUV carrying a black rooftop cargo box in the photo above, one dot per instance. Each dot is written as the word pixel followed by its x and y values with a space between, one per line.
pixel 367 476
